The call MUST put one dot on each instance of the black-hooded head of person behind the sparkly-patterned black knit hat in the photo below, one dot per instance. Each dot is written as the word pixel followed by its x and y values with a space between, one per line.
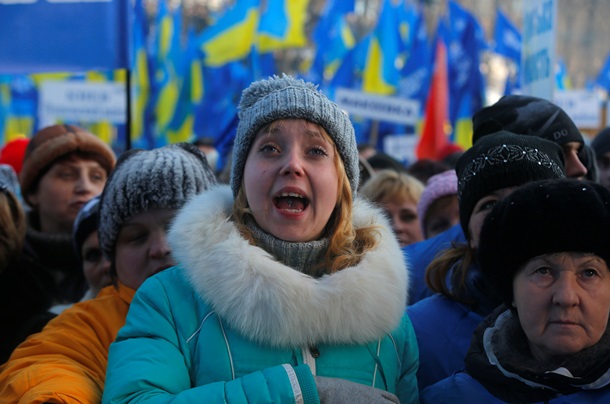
pixel 532 116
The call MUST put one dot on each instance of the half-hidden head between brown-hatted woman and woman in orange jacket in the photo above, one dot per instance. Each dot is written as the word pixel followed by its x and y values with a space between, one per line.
pixel 96 266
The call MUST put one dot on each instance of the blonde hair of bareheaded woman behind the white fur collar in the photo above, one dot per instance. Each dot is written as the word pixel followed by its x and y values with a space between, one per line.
pixel 394 185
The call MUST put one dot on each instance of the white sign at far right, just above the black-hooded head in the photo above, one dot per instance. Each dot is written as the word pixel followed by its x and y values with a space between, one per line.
pixel 583 106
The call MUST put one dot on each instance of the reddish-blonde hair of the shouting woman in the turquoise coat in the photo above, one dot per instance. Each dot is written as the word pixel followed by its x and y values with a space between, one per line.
pixel 347 245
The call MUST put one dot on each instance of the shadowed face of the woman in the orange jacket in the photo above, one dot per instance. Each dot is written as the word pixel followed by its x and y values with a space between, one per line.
pixel 141 247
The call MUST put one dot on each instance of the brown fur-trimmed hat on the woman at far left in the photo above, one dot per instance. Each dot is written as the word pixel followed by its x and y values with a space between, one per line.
pixel 53 142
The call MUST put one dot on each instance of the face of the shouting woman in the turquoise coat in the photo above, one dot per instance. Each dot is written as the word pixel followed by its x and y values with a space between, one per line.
pixel 291 180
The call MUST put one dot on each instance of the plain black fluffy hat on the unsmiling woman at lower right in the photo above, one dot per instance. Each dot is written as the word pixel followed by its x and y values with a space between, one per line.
pixel 543 217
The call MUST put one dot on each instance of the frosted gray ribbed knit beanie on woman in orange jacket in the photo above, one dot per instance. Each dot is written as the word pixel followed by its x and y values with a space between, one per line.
pixel 165 178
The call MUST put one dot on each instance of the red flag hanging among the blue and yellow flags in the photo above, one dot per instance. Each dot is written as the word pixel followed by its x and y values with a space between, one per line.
pixel 434 135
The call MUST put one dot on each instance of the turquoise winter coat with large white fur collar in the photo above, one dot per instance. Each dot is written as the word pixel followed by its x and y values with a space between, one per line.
pixel 231 324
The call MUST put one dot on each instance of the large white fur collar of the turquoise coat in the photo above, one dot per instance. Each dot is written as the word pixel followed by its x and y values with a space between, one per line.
pixel 274 304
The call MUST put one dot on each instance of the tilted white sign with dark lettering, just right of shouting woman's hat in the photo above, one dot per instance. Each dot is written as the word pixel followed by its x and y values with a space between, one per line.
pixel 382 108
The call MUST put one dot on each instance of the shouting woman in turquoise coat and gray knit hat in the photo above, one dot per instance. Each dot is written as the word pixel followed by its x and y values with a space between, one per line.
pixel 288 288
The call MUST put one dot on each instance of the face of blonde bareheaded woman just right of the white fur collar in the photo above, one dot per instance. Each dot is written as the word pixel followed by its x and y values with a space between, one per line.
pixel 405 222
